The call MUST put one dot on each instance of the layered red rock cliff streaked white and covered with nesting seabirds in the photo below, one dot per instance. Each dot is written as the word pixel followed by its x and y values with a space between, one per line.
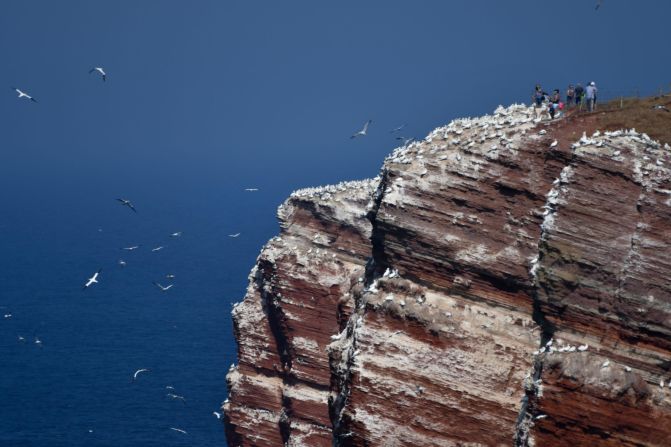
pixel 503 282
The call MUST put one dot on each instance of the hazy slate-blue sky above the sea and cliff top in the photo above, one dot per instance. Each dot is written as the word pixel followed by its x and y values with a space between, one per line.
pixel 226 92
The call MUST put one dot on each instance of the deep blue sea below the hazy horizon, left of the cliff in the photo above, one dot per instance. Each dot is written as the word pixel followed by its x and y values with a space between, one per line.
pixel 76 388
